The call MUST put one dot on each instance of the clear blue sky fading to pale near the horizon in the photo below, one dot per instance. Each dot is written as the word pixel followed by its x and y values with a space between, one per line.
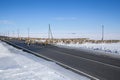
pixel 65 16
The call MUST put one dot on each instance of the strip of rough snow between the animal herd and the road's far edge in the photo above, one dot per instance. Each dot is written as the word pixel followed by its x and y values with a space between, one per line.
pixel 106 48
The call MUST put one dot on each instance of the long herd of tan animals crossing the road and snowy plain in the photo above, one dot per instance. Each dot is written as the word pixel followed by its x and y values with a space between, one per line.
pixel 46 41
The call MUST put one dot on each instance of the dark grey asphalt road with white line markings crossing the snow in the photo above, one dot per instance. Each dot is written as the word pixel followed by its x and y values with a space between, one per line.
pixel 98 66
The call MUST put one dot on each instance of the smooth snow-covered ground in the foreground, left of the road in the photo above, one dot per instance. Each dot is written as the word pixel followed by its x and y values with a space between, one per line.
pixel 18 65
